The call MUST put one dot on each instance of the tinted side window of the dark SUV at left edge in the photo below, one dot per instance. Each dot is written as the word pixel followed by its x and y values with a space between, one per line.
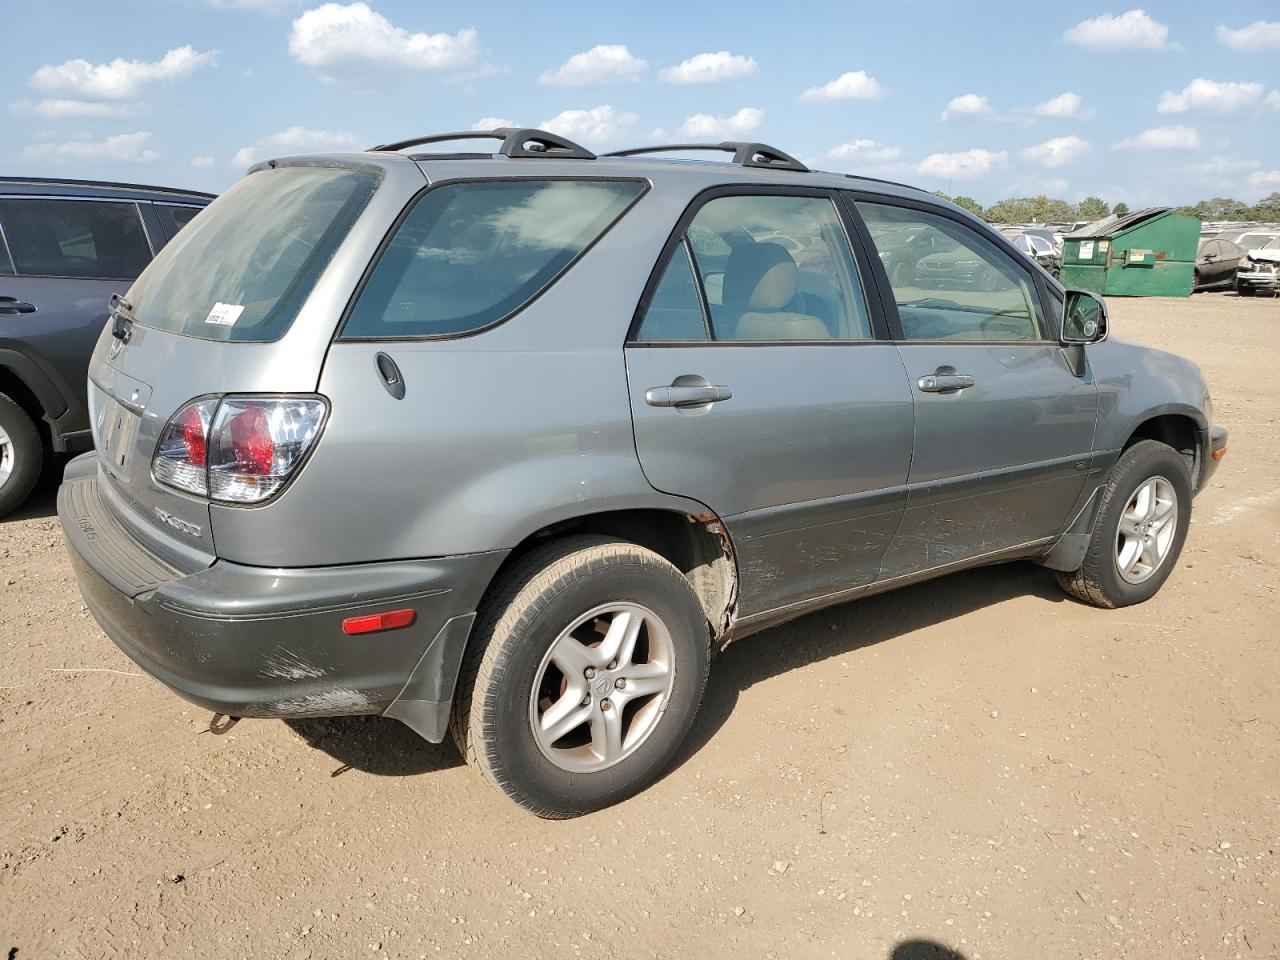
pixel 94 240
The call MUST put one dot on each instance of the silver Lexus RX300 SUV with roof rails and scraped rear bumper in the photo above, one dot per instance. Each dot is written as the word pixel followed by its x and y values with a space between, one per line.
pixel 509 445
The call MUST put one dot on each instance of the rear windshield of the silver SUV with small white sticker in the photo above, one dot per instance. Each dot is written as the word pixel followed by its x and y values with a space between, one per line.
pixel 241 271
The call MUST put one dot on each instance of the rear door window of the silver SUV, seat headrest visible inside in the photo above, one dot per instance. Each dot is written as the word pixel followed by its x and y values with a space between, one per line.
pixel 771 268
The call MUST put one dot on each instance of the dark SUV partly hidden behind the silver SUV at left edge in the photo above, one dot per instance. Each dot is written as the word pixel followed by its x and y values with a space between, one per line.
pixel 66 248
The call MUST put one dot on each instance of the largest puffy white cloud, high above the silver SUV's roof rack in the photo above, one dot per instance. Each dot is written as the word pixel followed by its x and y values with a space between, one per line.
pixel 345 40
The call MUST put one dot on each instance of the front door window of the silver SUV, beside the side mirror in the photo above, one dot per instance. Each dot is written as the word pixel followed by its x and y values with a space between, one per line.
pixel 950 282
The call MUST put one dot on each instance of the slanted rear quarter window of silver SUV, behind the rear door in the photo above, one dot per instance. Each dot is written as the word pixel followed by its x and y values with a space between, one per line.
pixel 469 255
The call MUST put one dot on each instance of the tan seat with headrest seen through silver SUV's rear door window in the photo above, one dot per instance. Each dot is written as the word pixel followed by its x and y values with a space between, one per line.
pixel 760 284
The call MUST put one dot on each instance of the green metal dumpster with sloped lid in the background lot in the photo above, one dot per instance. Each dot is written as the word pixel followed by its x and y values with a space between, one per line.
pixel 1146 254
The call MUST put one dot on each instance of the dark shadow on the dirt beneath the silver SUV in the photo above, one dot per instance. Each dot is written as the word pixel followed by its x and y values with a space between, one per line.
pixel 388 748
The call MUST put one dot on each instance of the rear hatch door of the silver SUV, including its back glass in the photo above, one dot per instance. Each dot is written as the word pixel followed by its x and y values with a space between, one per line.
pixel 245 300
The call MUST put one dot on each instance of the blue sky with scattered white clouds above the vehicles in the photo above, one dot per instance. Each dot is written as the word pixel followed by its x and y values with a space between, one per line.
pixel 1165 106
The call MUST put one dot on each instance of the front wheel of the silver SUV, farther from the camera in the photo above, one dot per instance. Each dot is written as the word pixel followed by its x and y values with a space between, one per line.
pixel 1140 531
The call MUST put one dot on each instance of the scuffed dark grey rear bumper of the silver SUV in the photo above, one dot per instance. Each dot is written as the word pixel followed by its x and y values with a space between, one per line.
pixel 253 642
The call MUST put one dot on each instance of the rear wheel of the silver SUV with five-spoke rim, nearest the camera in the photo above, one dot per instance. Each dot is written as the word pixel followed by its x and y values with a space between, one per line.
pixel 584 676
